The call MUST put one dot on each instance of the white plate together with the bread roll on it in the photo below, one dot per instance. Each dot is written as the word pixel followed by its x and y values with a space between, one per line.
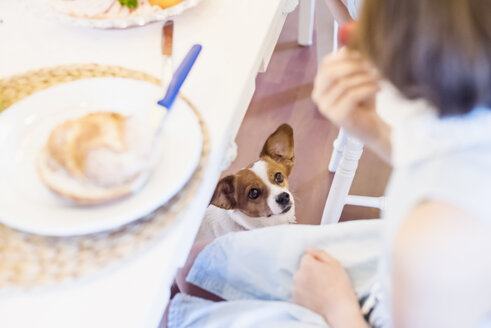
pixel 84 156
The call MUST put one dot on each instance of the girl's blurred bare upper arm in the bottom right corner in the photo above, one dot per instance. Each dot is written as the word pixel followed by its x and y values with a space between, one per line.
pixel 441 268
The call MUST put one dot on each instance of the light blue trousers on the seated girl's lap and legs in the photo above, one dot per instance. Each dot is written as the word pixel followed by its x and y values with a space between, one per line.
pixel 253 270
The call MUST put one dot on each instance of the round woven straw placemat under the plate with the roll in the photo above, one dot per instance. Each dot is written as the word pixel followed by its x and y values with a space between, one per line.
pixel 30 260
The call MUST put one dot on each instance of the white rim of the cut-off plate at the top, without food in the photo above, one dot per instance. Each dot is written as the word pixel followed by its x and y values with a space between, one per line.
pixel 130 21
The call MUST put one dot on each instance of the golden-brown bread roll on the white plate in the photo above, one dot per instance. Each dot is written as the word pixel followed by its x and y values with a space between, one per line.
pixel 96 158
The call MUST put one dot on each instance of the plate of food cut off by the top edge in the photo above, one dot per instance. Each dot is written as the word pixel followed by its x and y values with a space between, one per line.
pixel 117 13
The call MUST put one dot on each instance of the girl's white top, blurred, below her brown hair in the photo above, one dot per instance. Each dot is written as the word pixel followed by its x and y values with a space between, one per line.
pixel 445 159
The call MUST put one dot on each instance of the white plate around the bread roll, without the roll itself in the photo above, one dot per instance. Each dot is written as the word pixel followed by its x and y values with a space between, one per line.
pixel 26 203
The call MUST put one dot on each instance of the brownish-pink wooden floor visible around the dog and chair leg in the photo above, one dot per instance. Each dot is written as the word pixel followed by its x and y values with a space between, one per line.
pixel 283 96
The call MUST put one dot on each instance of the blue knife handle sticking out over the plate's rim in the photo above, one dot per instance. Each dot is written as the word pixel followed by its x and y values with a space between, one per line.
pixel 180 76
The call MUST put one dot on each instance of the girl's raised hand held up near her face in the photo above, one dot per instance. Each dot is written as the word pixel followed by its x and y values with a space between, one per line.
pixel 344 91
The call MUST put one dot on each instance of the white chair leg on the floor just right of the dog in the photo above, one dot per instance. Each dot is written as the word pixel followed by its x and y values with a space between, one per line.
pixel 342 181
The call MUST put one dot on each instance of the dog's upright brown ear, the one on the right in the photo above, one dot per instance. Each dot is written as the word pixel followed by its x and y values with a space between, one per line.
pixel 280 147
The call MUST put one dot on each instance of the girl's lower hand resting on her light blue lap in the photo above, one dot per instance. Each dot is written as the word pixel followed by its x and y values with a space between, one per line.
pixel 322 285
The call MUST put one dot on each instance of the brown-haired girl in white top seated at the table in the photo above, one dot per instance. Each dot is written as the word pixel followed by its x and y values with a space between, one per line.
pixel 434 268
